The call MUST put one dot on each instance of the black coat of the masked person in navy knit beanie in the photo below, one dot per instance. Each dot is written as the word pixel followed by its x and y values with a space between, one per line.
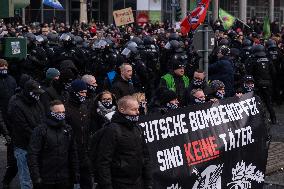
pixel 78 117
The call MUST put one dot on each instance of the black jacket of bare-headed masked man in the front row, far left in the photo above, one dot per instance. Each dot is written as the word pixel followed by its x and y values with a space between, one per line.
pixel 52 154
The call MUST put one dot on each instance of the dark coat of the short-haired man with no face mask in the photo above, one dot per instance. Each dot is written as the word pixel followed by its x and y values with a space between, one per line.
pixel 122 88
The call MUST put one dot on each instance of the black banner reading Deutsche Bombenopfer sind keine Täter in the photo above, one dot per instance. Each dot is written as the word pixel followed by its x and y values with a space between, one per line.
pixel 209 146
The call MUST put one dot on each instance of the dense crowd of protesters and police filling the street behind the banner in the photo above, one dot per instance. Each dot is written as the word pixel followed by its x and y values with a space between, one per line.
pixel 69 111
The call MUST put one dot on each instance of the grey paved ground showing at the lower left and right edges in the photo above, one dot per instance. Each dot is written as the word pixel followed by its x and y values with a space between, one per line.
pixel 275 166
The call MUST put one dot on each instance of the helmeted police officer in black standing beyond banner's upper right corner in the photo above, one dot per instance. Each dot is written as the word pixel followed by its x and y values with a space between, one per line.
pixel 262 69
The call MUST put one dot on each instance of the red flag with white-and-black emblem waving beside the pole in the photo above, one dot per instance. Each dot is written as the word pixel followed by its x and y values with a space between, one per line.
pixel 195 18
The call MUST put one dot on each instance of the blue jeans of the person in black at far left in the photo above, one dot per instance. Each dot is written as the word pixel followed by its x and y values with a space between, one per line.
pixel 23 169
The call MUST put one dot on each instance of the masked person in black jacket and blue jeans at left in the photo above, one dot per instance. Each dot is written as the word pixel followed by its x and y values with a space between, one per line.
pixel 27 113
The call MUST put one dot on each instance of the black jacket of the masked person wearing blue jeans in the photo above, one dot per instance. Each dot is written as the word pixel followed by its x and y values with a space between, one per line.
pixel 25 115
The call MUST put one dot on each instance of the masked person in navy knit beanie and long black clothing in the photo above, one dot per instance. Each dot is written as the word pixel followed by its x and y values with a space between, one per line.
pixel 78 117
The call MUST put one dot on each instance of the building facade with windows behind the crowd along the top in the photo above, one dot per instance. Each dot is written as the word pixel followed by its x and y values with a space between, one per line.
pixel 101 10
